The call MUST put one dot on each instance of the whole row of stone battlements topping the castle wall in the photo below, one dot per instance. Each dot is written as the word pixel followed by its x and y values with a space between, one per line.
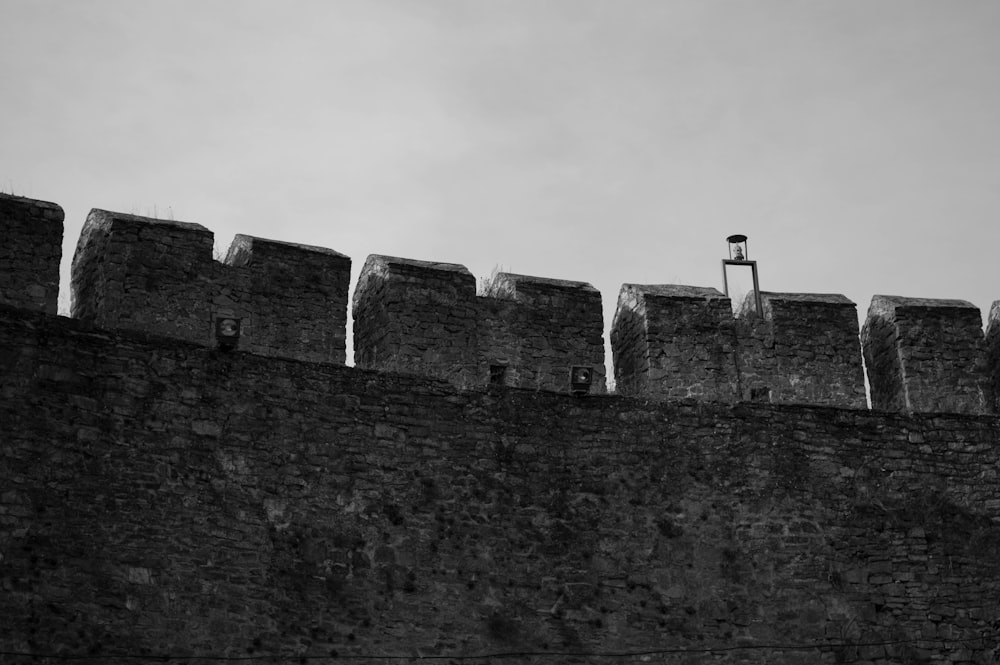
pixel 668 341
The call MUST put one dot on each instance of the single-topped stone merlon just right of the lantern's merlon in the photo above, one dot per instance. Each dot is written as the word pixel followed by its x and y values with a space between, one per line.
pixel 925 355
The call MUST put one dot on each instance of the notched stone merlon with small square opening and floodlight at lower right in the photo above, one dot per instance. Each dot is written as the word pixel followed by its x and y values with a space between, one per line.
pixel 425 318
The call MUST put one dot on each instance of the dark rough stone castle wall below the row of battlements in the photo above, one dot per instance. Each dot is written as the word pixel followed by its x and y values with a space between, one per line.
pixel 164 498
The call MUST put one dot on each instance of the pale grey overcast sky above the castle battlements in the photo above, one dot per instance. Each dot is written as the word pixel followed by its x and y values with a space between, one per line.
pixel 856 143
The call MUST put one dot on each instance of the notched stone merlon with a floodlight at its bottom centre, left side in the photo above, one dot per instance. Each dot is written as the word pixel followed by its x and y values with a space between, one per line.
pixel 159 276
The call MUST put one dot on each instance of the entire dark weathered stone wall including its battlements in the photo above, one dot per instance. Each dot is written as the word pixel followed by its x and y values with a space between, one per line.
pixel 163 498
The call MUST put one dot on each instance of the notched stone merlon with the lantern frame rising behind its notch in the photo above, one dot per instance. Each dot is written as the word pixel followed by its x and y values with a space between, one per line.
pixel 672 341
